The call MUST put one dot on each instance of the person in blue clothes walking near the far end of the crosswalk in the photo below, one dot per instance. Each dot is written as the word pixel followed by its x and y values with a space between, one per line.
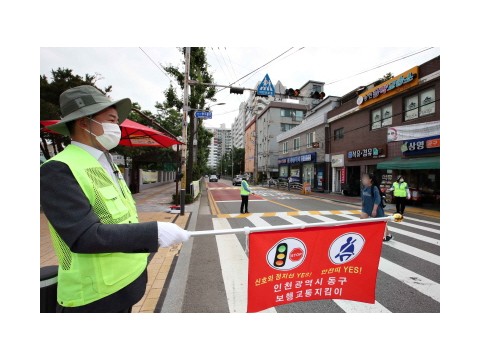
pixel 372 205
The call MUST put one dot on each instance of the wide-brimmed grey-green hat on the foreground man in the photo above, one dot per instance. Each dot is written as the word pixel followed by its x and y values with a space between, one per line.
pixel 86 100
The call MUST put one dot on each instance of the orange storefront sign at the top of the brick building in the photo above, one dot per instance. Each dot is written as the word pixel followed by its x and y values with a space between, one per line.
pixel 389 88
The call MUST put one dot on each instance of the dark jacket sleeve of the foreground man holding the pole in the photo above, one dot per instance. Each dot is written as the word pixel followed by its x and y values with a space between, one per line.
pixel 70 213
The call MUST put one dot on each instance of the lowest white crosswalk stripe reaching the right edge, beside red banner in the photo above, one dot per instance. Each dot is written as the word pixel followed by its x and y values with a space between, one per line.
pixel 412 279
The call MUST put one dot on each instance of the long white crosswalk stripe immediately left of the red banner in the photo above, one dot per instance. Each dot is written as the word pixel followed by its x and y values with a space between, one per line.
pixel 234 264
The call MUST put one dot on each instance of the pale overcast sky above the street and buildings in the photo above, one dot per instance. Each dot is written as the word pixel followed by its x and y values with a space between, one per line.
pixel 132 74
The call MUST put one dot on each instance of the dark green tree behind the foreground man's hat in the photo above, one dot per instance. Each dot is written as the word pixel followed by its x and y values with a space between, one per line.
pixel 50 90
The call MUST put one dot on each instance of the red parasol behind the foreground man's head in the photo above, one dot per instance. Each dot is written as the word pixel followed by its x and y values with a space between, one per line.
pixel 133 134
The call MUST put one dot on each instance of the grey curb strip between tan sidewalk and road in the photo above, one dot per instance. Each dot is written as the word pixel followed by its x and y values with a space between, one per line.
pixel 173 302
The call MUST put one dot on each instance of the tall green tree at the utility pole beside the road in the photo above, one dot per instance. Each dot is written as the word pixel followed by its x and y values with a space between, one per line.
pixel 199 71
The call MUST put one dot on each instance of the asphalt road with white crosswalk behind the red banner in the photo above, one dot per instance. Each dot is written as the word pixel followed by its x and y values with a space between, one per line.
pixel 409 271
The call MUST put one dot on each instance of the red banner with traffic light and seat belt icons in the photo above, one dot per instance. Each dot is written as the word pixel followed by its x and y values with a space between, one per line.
pixel 336 262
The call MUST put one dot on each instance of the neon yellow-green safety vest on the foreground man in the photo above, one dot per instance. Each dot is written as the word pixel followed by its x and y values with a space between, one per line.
pixel 85 278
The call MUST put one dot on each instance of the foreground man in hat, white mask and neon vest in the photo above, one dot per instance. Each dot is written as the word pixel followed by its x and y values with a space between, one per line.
pixel 101 248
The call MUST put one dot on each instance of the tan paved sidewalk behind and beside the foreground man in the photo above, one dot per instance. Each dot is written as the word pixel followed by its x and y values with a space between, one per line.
pixel 151 206
